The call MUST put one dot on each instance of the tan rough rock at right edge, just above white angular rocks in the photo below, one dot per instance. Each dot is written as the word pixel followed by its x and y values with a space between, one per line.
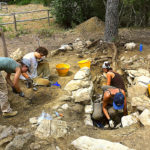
pixel 140 103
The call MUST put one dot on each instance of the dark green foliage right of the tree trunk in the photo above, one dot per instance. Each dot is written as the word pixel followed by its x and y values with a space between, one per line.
pixel 135 13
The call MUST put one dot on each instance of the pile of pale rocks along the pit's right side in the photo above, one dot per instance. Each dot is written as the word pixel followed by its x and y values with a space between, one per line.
pixel 138 81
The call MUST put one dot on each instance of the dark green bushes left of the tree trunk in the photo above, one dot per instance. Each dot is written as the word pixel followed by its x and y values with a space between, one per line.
pixel 76 11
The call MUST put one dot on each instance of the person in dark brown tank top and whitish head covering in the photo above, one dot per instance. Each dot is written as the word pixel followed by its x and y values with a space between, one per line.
pixel 114 80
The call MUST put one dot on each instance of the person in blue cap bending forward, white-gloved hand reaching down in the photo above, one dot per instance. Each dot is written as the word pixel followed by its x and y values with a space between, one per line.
pixel 115 97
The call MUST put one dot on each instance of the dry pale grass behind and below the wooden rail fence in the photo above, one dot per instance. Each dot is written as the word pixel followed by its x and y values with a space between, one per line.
pixel 30 26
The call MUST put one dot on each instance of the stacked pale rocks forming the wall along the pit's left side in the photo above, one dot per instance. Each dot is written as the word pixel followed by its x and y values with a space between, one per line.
pixel 81 90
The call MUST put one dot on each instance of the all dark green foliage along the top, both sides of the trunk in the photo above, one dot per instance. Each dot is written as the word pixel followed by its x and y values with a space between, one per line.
pixel 69 13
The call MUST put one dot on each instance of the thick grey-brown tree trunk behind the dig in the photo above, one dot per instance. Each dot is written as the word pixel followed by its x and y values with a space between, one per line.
pixel 111 21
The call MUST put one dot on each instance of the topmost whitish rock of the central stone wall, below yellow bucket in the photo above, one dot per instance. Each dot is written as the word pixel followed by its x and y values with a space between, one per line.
pixel 82 74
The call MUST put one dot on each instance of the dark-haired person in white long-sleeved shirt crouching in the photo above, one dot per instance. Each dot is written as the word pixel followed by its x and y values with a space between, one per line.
pixel 36 65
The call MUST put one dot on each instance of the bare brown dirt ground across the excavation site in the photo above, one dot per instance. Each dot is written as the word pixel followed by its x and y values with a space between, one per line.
pixel 46 97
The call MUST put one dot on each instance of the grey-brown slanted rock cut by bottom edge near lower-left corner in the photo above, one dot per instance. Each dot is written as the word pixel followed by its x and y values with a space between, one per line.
pixel 20 142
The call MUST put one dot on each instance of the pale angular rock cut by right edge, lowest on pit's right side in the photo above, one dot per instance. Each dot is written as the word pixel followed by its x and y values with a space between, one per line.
pixel 145 117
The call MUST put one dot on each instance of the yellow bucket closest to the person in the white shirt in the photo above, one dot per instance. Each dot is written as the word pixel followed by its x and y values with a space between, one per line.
pixel 62 69
